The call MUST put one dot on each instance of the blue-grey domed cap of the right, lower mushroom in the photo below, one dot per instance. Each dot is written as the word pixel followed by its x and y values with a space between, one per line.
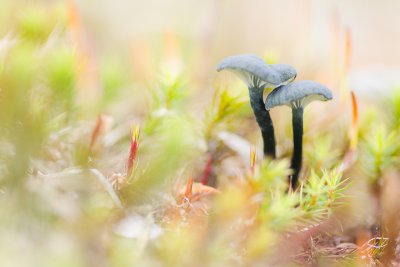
pixel 297 94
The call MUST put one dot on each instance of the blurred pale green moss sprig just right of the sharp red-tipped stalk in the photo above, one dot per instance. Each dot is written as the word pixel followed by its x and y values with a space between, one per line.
pixel 173 145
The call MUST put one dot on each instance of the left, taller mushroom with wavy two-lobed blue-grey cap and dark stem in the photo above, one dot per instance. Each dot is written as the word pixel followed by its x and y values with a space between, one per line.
pixel 259 75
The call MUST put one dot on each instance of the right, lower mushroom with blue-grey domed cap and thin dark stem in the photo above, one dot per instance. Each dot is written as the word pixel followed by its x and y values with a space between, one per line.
pixel 297 95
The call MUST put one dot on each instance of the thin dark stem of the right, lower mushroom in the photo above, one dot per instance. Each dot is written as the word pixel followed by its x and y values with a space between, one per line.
pixel 297 122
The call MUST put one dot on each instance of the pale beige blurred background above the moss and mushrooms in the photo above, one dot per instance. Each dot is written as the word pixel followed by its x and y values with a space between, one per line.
pixel 195 36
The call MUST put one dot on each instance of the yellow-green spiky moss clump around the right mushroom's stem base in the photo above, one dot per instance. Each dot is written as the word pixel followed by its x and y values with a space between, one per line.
pixel 314 201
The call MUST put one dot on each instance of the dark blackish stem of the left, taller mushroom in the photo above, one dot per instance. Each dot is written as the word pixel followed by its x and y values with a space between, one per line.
pixel 263 119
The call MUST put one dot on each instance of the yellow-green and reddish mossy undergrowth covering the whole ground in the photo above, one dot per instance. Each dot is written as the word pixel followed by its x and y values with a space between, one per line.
pixel 77 188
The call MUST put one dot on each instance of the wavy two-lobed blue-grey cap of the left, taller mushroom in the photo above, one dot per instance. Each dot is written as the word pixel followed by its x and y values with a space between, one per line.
pixel 256 73
